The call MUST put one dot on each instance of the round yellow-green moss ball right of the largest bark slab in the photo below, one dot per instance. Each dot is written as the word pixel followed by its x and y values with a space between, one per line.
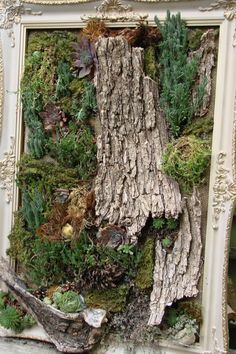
pixel 186 160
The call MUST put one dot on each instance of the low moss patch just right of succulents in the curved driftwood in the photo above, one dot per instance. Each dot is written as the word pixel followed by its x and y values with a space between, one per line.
pixel 112 300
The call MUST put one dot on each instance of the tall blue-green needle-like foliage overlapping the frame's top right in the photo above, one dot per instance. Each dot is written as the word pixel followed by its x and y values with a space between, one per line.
pixel 177 73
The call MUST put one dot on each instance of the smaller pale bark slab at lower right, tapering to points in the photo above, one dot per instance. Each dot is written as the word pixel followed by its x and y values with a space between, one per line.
pixel 176 274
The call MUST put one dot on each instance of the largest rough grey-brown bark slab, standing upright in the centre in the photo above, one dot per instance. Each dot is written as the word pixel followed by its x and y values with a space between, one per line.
pixel 130 185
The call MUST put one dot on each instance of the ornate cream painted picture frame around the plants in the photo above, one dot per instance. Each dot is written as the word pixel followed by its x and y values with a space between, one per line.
pixel 17 18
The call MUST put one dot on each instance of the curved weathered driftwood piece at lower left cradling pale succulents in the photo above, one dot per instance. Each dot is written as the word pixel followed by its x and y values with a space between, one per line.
pixel 69 332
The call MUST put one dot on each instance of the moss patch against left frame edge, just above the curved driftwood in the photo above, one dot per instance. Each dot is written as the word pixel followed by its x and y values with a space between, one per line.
pixel 20 240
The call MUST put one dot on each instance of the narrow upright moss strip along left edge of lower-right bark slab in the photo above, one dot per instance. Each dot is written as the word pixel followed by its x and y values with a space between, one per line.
pixel 144 278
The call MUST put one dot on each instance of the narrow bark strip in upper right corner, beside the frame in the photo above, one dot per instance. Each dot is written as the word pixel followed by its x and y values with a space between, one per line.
pixel 206 55
